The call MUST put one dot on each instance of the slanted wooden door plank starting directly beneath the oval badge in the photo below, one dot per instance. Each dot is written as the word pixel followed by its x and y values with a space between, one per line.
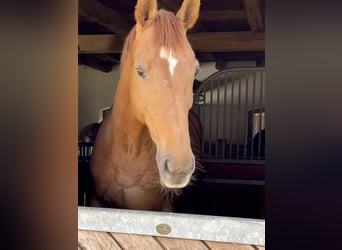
pixel 181 244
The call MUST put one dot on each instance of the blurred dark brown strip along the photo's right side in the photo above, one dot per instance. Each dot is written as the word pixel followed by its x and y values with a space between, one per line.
pixel 304 100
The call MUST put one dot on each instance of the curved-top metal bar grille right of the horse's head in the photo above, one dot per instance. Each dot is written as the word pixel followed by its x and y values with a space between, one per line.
pixel 231 107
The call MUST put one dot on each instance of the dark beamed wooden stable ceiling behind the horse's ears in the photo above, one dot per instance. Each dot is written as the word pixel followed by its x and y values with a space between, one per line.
pixel 227 30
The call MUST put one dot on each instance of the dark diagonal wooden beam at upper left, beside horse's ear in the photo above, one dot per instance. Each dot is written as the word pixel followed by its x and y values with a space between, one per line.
pixel 99 13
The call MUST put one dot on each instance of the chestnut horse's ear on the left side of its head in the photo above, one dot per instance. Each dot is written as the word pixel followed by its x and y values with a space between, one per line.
pixel 145 12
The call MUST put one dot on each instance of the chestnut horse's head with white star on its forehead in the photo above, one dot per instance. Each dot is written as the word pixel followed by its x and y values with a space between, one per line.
pixel 163 68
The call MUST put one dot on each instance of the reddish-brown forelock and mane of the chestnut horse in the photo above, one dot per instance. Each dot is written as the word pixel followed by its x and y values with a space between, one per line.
pixel 167 32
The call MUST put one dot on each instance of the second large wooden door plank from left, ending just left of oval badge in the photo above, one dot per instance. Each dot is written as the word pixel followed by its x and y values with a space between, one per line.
pixel 134 241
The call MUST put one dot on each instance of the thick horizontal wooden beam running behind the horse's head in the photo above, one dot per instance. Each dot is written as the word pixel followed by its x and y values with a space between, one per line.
pixel 200 42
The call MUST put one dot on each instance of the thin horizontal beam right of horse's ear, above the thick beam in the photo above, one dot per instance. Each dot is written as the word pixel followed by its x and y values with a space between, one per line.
pixel 222 15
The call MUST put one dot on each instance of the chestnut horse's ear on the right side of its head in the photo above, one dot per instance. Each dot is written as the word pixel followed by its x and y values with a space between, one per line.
pixel 188 13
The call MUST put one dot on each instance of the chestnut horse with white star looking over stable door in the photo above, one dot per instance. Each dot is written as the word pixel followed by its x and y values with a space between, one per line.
pixel 142 157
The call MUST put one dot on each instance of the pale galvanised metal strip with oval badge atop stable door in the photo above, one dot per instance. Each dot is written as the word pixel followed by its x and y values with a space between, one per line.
pixel 186 226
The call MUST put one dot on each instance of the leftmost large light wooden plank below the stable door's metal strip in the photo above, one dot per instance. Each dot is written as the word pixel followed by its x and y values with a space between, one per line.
pixel 89 240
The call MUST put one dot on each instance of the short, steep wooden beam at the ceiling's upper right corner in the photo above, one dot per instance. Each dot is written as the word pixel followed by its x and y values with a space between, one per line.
pixel 255 15
